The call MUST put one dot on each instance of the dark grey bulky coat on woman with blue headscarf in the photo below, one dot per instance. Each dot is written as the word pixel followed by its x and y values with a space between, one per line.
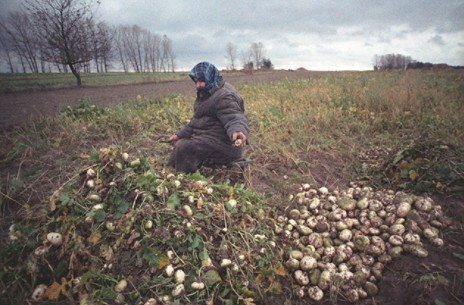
pixel 207 137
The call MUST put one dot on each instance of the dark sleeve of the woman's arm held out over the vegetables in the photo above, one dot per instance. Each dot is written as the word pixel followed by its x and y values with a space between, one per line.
pixel 230 112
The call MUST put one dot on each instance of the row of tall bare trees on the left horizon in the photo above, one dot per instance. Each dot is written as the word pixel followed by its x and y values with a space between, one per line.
pixel 63 35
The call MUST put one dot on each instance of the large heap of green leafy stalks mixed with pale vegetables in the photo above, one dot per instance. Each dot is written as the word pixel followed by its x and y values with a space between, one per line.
pixel 184 238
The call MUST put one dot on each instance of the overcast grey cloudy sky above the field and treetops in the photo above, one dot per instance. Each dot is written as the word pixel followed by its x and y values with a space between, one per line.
pixel 314 34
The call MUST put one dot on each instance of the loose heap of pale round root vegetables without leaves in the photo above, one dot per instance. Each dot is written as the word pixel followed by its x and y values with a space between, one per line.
pixel 342 240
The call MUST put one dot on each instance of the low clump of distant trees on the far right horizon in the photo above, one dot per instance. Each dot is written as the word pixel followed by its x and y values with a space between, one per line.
pixel 398 61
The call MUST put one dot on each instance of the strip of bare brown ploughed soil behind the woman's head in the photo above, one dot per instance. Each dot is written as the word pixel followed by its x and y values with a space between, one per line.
pixel 17 108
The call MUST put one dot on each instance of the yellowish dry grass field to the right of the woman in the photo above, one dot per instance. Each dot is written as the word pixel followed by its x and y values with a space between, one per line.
pixel 348 114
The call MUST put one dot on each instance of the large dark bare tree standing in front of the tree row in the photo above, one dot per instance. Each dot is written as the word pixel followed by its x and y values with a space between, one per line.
pixel 63 26
